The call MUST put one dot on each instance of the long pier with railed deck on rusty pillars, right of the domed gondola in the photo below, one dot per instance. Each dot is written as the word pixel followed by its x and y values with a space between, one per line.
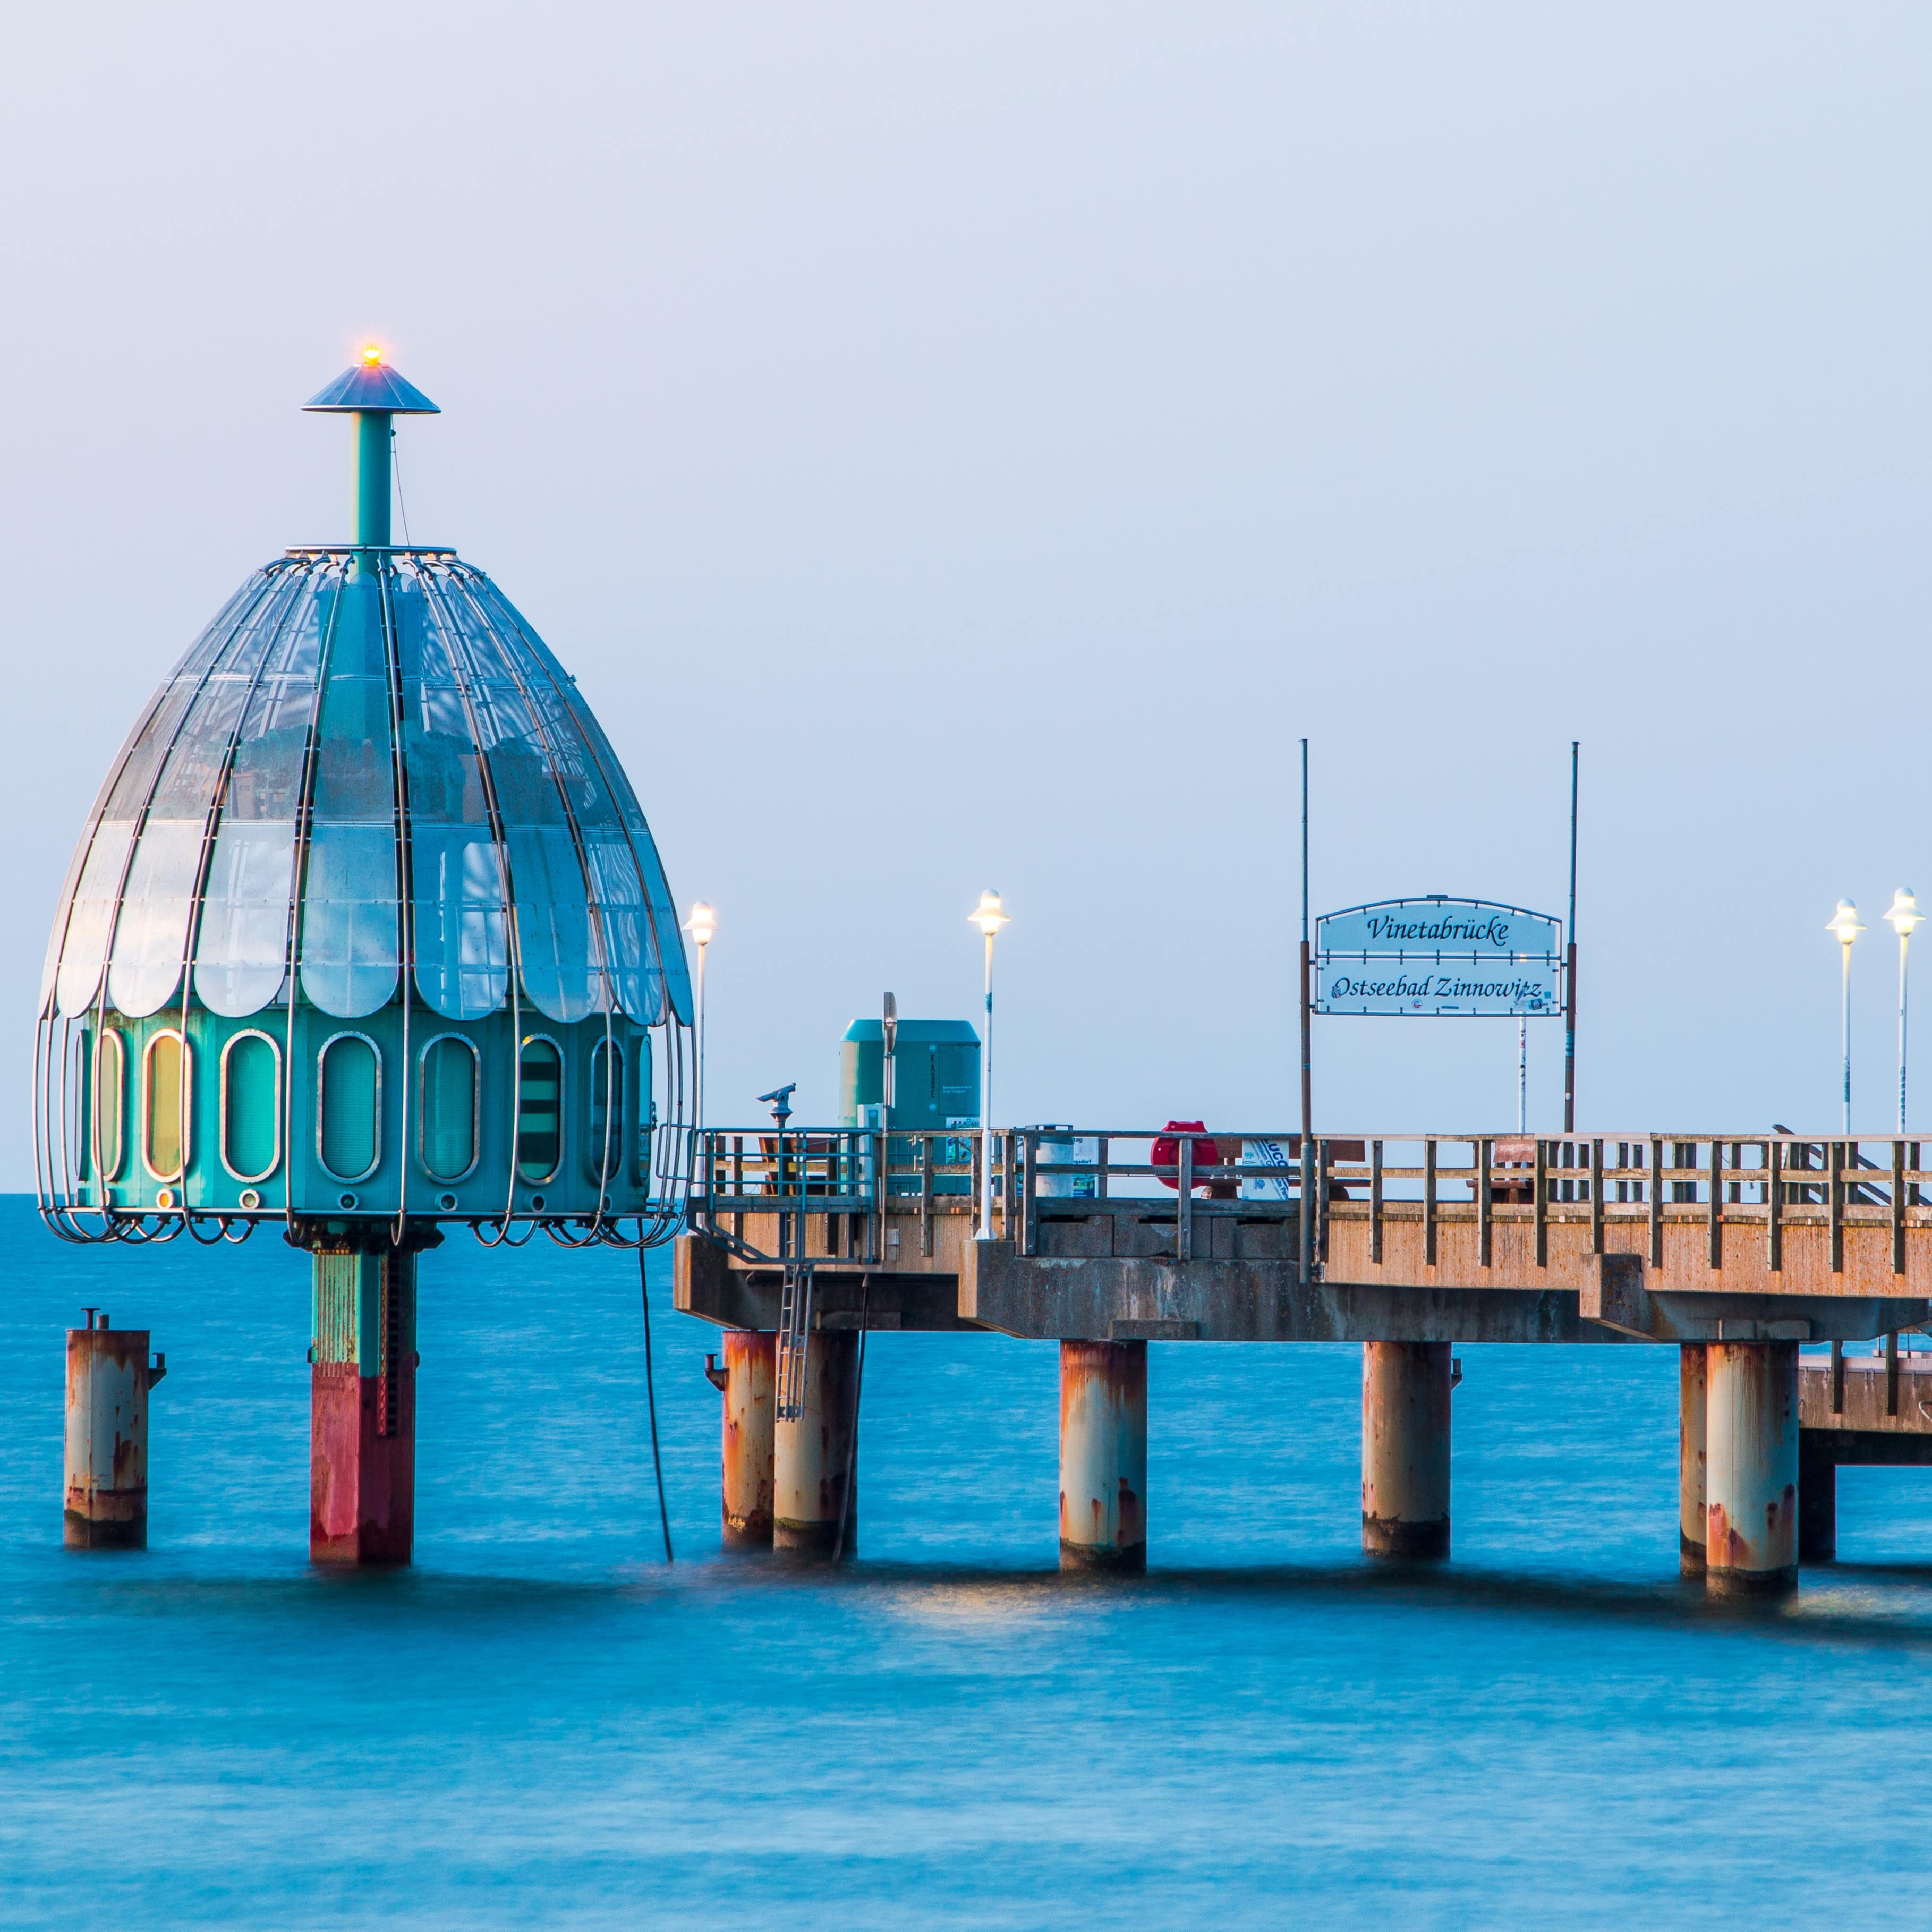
pixel 1736 1249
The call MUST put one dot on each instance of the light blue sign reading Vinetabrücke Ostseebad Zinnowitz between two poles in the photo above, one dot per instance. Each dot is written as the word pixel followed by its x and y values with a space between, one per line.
pixel 1438 957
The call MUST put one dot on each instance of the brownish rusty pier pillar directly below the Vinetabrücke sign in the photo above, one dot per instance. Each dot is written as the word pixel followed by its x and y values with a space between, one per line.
pixel 1406 1448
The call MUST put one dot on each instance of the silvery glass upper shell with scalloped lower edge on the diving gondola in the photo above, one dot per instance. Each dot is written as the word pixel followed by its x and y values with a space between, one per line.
pixel 355 751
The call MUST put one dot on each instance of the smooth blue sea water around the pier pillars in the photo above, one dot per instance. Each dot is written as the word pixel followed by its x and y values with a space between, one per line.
pixel 542 1724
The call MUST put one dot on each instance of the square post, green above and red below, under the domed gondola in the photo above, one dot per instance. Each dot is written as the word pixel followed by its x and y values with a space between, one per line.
pixel 362 1413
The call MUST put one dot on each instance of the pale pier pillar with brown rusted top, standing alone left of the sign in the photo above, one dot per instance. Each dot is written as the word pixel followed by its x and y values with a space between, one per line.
pixel 1104 1456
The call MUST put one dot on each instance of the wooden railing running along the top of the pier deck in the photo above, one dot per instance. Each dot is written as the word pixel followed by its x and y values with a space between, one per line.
pixel 1736 1187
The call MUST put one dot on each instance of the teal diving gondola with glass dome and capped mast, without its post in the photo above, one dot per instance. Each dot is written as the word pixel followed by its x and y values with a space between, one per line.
pixel 366 923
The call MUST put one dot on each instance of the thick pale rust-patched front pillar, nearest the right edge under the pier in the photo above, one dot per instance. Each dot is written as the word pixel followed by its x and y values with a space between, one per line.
pixel 1751 1471
